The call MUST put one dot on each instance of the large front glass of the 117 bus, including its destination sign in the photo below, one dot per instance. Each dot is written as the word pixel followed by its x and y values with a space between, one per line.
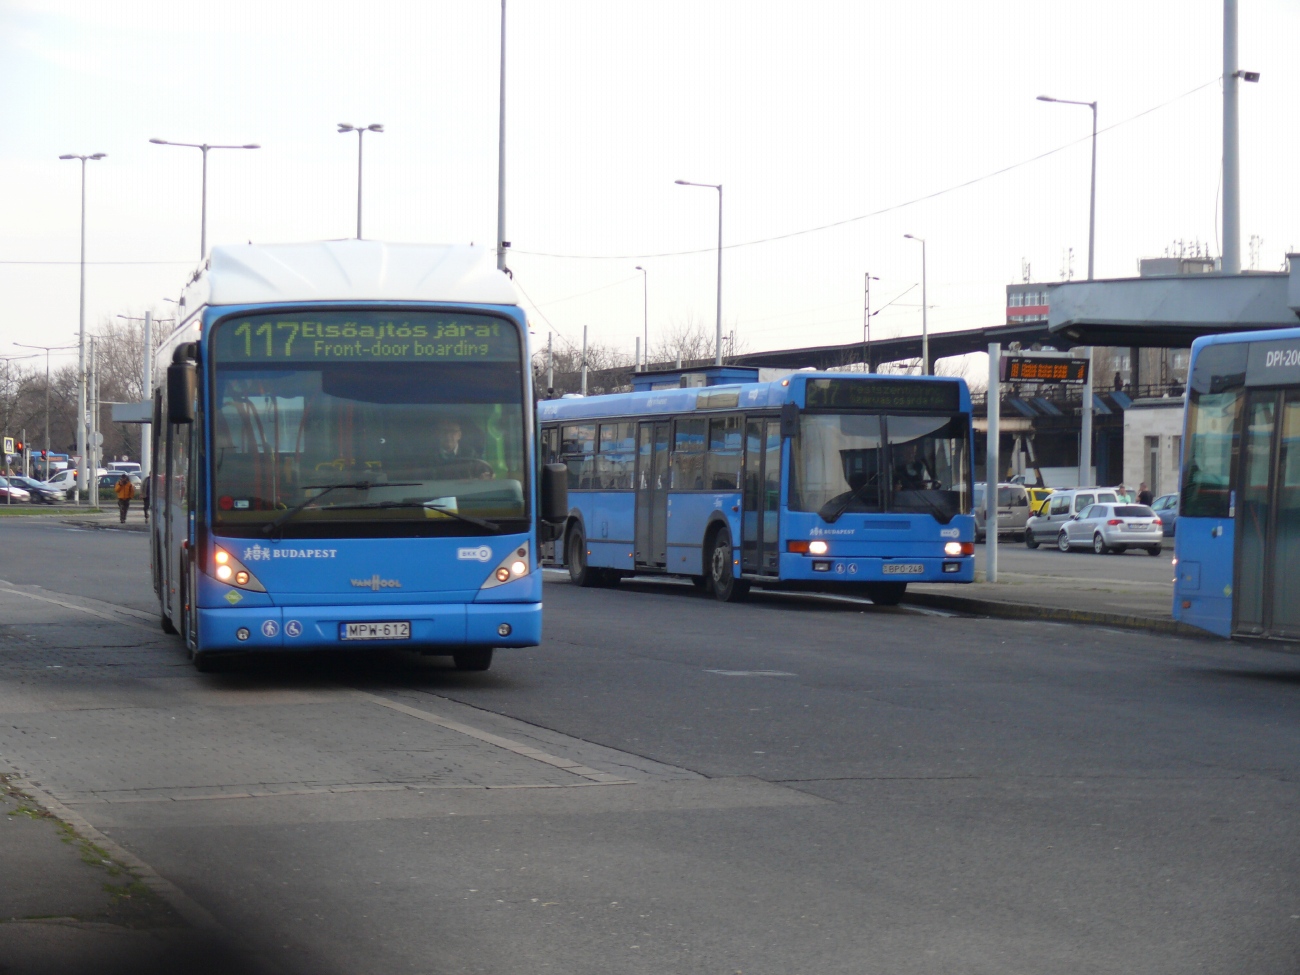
pixel 367 422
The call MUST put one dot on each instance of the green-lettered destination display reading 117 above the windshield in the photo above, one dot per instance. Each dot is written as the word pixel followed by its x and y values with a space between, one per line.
pixel 362 336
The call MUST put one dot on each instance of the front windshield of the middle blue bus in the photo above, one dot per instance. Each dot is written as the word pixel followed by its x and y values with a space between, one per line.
pixel 870 463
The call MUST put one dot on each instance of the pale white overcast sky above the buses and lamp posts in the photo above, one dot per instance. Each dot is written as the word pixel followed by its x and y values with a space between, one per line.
pixel 808 114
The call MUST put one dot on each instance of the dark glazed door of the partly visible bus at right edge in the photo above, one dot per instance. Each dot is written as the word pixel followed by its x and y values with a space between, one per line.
pixel 1267 592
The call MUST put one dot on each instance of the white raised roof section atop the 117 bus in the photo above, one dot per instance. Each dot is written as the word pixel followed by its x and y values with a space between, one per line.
pixel 349 271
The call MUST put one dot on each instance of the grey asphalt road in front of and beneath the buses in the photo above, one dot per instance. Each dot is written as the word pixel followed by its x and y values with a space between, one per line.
pixel 675 786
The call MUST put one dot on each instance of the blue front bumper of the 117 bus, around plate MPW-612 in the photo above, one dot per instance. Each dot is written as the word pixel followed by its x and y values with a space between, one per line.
pixel 322 627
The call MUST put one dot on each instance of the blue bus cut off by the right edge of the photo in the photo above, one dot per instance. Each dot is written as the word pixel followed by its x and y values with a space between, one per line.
pixel 1238 543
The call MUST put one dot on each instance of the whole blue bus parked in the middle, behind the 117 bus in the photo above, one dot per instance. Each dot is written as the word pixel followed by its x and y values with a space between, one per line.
pixel 843 483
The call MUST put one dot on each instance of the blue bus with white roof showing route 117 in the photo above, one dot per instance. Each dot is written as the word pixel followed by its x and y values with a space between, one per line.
pixel 345 456
